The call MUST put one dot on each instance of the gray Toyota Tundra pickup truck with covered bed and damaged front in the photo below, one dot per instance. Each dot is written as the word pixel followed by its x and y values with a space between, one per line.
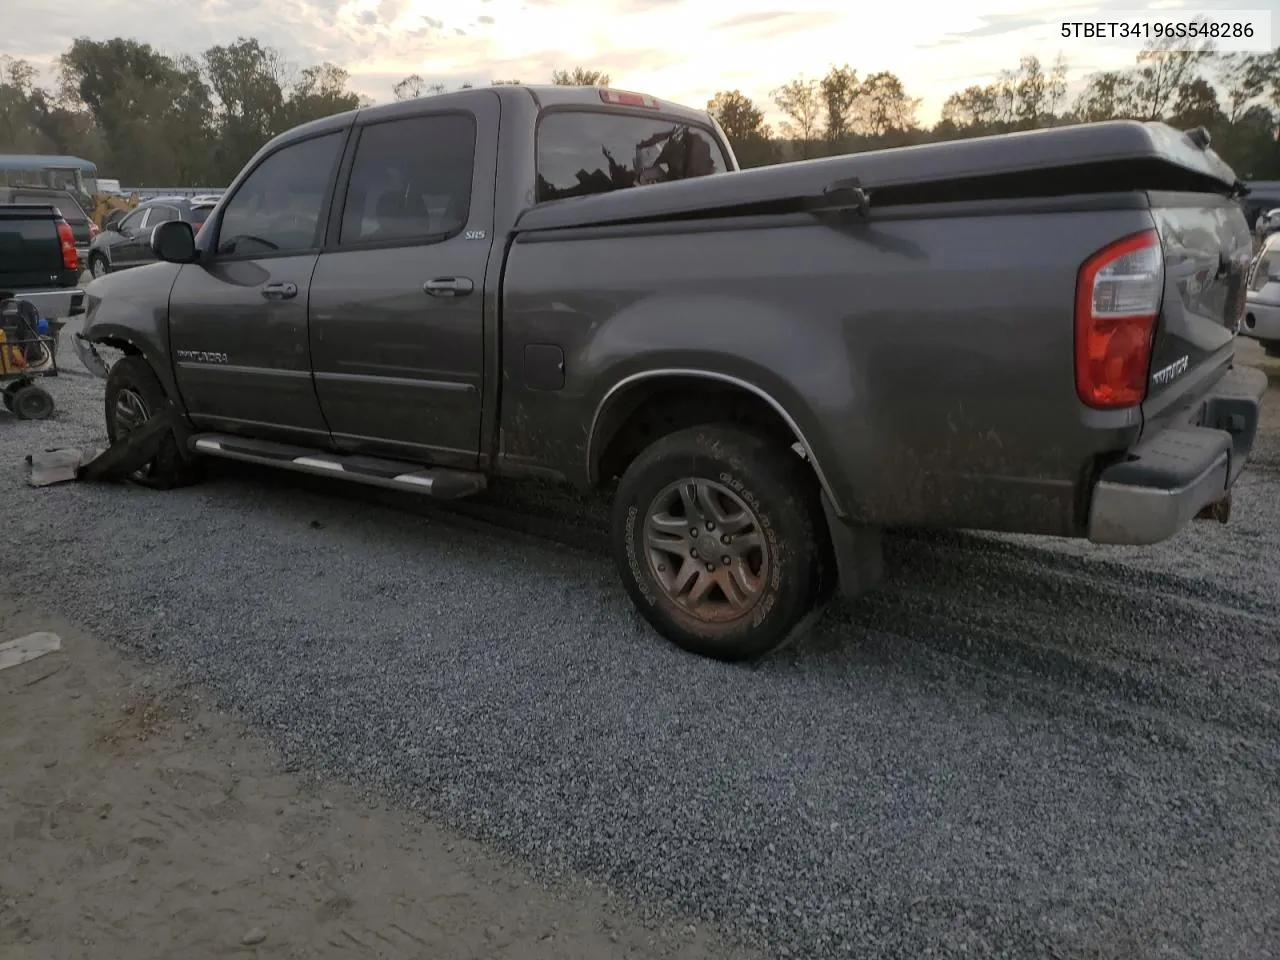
pixel 1030 333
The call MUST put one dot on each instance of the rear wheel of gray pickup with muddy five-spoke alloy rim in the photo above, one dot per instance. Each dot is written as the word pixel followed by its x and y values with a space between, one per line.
pixel 771 484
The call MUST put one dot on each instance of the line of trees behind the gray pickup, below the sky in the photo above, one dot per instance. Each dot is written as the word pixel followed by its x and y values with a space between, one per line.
pixel 152 120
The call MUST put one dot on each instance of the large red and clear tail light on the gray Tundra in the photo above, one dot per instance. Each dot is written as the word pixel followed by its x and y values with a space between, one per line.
pixel 1118 299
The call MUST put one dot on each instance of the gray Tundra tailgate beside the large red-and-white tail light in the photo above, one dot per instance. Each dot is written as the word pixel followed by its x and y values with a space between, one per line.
pixel 1208 253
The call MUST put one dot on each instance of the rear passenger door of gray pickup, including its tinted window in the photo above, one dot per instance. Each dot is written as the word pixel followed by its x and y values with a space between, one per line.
pixel 397 300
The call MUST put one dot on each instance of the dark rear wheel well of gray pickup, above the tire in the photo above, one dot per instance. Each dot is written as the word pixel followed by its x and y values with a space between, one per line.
pixel 655 409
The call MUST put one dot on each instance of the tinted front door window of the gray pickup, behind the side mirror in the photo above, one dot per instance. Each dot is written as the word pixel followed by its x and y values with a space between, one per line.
pixel 277 209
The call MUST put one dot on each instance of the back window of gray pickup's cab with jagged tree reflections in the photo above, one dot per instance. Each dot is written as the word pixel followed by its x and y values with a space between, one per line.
pixel 583 153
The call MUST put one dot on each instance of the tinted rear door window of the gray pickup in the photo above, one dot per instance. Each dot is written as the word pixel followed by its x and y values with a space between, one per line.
pixel 412 180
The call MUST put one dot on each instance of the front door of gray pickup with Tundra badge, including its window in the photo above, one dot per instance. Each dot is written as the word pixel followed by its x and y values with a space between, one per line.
pixel 239 318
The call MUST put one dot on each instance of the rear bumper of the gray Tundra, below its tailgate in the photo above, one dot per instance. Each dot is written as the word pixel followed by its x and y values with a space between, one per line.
pixel 1171 478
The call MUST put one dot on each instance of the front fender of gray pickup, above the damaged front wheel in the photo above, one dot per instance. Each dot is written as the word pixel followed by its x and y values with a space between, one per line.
pixel 130 310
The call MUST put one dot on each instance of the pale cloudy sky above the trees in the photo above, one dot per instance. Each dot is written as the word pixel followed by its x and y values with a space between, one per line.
pixel 683 51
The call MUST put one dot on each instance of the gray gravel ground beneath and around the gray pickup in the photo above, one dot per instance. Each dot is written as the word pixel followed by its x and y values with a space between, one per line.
pixel 1017 748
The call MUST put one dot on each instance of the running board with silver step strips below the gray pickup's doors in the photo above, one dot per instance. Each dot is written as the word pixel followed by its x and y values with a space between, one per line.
pixel 441 483
